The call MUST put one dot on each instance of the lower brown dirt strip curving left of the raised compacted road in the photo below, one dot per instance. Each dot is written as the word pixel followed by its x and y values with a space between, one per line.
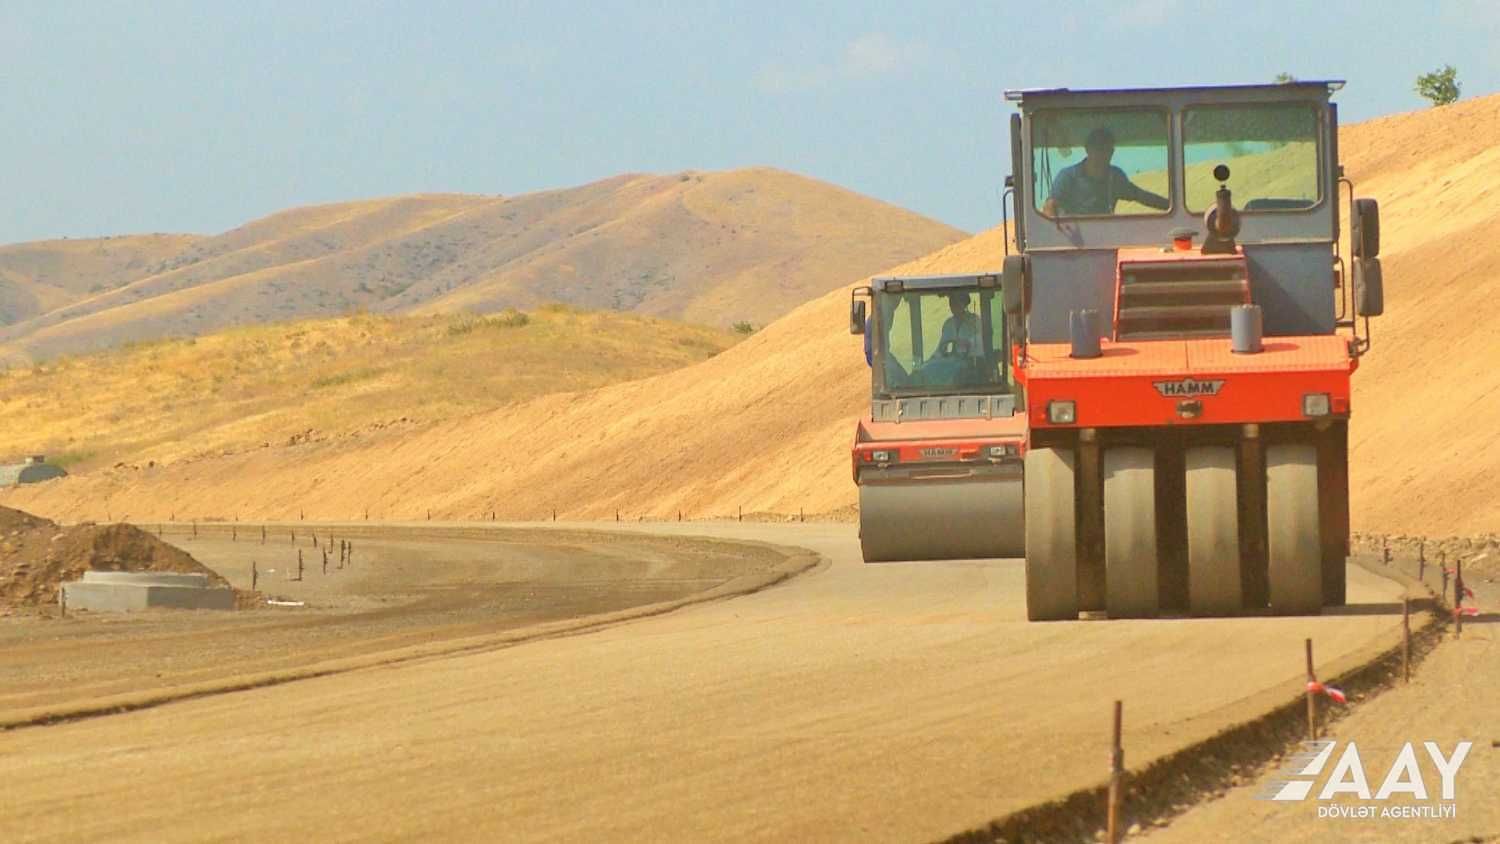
pixel 403 591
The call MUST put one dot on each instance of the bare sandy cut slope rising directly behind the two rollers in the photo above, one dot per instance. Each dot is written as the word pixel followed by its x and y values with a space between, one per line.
pixel 767 425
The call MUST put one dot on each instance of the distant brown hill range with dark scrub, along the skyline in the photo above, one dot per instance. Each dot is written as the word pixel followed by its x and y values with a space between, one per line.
pixel 712 248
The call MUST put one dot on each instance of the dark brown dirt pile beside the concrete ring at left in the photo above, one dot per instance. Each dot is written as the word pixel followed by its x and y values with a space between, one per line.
pixel 38 557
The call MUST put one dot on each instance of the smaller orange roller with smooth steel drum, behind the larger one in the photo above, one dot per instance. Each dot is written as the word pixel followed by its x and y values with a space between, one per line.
pixel 938 461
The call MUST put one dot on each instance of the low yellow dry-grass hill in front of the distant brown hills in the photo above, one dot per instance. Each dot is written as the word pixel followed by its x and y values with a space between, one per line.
pixel 272 386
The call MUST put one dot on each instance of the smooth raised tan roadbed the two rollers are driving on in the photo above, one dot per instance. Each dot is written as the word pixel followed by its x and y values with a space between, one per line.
pixel 854 702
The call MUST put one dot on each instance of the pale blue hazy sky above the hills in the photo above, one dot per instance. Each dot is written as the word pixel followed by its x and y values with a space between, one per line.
pixel 134 118
